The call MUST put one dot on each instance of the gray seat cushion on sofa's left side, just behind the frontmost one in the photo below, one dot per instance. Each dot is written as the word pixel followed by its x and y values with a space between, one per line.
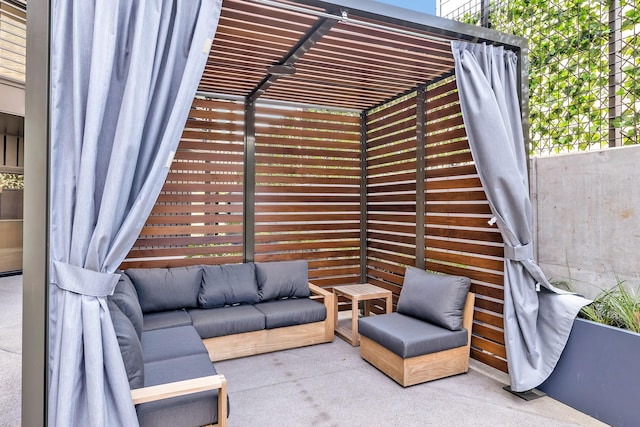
pixel 169 343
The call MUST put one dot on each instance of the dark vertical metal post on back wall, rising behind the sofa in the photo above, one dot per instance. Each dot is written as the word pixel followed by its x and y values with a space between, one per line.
pixel 249 193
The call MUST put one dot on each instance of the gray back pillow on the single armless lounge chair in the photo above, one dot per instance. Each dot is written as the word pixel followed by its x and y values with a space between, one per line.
pixel 435 298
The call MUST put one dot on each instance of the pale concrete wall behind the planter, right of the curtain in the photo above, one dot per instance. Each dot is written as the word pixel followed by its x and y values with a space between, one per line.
pixel 588 217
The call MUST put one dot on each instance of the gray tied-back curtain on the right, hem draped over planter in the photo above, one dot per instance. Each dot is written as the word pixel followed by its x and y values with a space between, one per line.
pixel 537 316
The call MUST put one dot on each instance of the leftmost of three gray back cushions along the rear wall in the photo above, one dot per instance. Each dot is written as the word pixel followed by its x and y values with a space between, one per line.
pixel 162 289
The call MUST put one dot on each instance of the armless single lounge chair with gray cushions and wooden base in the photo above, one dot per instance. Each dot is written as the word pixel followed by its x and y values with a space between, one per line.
pixel 429 336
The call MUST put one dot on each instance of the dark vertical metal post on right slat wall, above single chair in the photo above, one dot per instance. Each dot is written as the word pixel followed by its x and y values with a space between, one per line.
pixel 421 139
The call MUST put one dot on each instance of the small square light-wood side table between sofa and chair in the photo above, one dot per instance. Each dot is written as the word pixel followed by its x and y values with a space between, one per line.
pixel 356 293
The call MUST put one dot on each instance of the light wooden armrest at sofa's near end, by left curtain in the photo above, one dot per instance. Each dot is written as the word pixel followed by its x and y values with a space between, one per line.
pixel 181 388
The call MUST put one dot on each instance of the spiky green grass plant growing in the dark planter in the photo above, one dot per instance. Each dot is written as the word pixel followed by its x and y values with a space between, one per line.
pixel 617 307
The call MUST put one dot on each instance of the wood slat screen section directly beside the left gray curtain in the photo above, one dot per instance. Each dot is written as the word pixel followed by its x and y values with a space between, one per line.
pixel 197 218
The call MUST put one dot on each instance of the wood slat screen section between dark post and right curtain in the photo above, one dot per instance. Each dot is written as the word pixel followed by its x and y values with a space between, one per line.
pixel 458 237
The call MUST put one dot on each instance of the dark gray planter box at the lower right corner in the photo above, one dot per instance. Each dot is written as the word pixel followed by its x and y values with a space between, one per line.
pixel 599 373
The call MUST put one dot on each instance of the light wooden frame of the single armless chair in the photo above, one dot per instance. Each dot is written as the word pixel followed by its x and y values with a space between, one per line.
pixel 428 367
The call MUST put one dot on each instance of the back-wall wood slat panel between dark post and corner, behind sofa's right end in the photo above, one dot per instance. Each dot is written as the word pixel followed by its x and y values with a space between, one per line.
pixel 308 191
